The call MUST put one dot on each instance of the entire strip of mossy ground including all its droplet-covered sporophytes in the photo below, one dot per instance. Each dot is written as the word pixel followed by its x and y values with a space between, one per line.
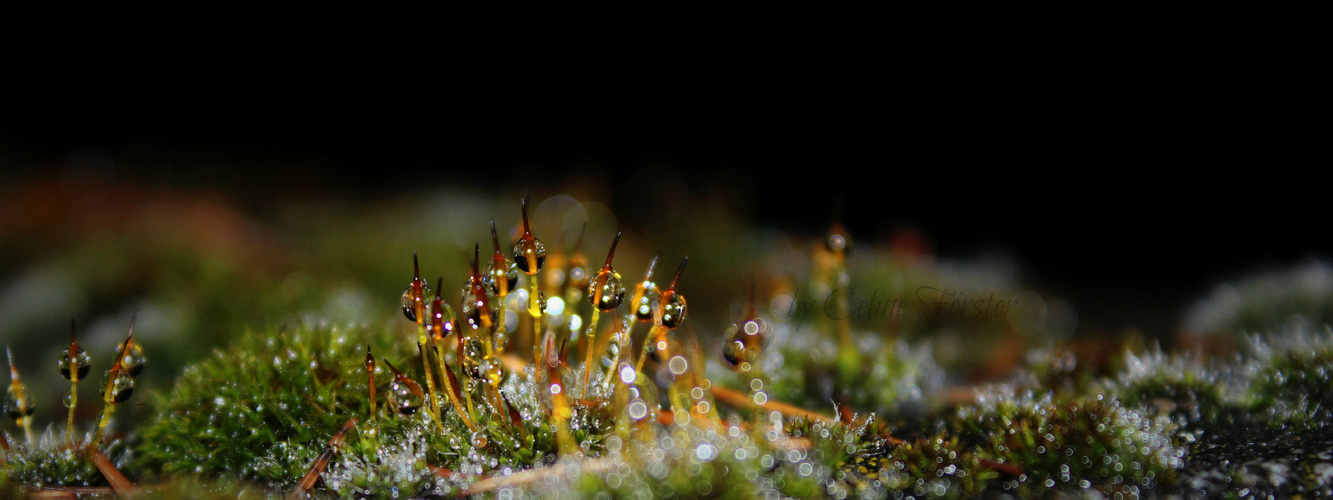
pixel 519 397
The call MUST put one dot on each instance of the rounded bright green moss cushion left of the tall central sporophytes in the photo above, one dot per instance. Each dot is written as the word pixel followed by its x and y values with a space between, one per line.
pixel 261 411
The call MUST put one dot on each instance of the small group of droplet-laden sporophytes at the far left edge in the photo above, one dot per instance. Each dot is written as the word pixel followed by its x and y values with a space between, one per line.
pixel 54 461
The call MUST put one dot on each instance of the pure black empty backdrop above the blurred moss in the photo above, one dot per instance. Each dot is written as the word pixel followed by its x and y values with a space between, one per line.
pixel 1127 173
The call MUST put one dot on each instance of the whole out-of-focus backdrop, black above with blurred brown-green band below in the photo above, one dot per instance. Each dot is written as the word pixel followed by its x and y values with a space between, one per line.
pixel 1135 187
